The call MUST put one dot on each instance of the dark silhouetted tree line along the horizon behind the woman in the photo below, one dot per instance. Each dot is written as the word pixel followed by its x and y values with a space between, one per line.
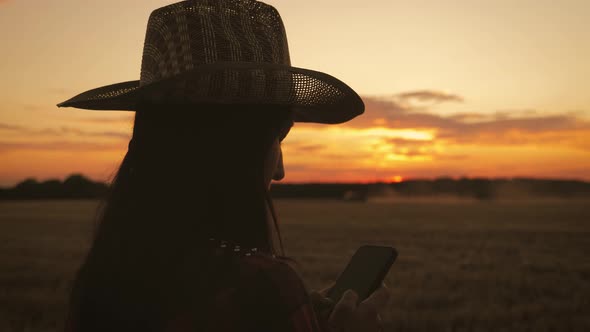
pixel 78 186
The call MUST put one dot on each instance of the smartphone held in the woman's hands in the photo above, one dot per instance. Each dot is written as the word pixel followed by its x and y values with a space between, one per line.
pixel 365 272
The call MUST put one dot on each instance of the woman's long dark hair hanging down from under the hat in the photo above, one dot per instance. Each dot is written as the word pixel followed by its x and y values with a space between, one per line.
pixel 190 174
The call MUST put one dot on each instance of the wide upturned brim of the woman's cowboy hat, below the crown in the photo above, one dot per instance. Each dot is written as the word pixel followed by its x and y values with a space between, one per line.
pixel 313 96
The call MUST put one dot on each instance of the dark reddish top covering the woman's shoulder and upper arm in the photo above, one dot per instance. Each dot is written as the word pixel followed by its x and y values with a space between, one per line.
pixel 268 295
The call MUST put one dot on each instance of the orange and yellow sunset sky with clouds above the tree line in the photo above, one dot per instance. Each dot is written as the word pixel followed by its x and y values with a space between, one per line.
pixel 452 88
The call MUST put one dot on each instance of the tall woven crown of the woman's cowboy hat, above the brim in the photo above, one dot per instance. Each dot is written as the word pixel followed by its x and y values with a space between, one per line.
pixel 188 34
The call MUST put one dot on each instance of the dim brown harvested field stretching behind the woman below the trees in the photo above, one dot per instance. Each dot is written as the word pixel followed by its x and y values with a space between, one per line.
pixel 462 265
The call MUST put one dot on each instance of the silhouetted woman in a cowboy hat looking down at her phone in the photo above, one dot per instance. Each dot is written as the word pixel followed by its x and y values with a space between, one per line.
pixel 188 239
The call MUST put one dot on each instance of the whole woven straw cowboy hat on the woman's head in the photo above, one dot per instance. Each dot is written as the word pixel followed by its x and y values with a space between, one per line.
pixel 224 52
